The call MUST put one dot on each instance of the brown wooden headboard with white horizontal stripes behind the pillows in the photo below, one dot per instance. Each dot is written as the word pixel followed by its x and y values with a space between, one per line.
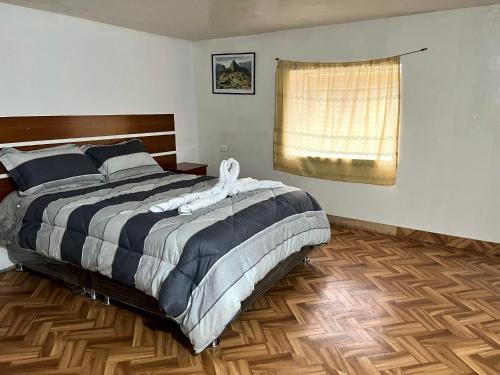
pixel 157 132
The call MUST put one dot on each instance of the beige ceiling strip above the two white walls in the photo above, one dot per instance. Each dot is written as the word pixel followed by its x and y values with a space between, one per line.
pixel 208 19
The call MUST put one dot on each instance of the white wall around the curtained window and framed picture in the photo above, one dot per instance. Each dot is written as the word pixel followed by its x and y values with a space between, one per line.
pixel 449 174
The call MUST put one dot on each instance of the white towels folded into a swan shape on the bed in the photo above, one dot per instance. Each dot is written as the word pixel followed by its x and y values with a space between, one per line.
pixel 228 185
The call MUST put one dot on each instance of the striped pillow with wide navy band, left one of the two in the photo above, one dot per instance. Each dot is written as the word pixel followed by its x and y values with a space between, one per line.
pixel 55 167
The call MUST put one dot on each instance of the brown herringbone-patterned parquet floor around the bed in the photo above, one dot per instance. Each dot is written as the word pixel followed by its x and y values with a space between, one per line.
pixel 366 304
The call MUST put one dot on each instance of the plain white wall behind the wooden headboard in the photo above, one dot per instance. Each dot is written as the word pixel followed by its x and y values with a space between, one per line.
pixel 52 64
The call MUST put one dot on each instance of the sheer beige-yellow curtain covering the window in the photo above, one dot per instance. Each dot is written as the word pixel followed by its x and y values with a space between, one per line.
pixel 338 121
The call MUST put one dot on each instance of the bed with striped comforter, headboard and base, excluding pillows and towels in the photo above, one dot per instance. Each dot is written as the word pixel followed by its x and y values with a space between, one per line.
pixel 199 270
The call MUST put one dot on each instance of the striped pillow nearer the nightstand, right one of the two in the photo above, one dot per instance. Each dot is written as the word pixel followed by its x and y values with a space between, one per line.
pixel 122 160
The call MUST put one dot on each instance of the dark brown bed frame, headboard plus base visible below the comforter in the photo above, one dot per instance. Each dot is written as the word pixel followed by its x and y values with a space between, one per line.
pixel 157 132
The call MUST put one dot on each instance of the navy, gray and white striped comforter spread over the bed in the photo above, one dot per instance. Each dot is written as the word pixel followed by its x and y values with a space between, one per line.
pixel 200 267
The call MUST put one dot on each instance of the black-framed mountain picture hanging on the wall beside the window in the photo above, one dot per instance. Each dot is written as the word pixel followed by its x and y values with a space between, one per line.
pixel 233 73
